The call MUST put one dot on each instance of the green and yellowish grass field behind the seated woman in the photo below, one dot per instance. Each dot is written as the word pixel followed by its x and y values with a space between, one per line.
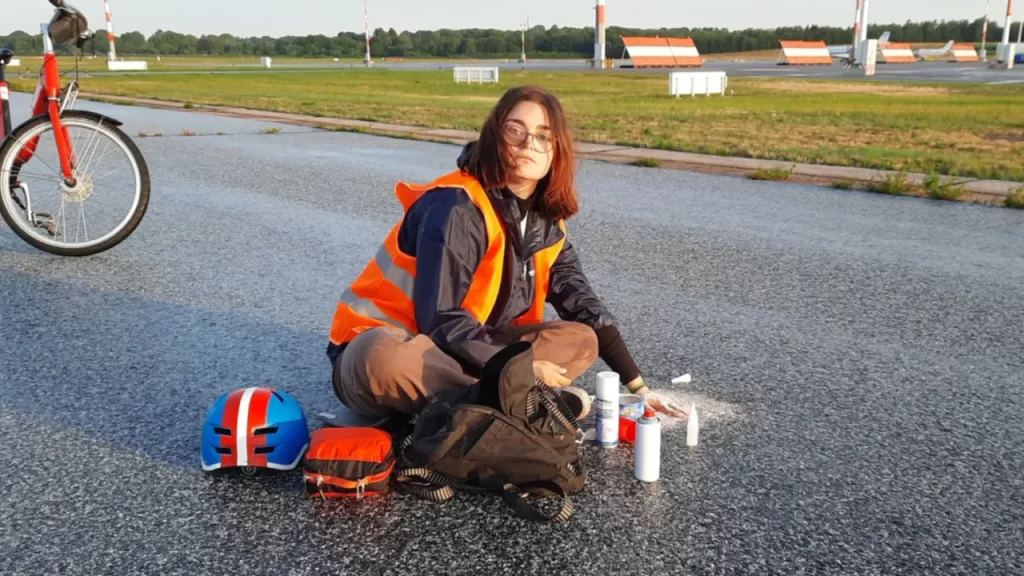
pixel 965 131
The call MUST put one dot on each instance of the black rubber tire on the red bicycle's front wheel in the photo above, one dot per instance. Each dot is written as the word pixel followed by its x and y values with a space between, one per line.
pixel 126 230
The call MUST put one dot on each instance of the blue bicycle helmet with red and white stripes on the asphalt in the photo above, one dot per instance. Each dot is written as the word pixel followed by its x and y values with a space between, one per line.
pixel 254 428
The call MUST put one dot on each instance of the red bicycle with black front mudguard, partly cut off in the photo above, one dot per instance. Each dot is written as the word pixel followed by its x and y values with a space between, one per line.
pixel 68 168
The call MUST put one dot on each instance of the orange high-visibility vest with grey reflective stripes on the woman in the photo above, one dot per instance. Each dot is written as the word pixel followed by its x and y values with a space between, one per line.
pixel 382 296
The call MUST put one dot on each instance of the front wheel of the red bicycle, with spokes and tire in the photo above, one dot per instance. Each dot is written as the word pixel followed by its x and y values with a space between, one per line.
pixel 103 205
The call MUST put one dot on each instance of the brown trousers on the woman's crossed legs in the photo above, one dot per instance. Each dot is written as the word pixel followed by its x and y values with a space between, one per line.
pixel 387 371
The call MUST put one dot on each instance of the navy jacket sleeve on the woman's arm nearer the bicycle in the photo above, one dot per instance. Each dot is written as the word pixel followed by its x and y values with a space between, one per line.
pixel 451 241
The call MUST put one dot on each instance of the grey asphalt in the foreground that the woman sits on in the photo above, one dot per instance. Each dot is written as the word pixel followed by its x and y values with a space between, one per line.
pixel 857 359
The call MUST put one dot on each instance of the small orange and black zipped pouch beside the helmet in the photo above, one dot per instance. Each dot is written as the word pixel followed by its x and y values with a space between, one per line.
pixel 349 463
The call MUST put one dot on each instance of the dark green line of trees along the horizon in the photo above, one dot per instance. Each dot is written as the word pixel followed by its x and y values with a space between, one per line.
pixel 541 42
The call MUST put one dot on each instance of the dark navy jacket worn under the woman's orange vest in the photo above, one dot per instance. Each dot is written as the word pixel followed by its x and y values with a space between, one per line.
pixel 445 231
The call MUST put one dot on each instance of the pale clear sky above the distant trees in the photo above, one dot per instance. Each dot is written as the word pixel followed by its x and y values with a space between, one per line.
pixel 283 18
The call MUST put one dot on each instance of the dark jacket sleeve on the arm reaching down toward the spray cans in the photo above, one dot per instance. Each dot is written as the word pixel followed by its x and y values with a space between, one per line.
pixel 572 296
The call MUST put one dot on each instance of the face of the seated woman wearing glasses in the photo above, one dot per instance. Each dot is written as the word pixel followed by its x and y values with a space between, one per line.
pixel 530 157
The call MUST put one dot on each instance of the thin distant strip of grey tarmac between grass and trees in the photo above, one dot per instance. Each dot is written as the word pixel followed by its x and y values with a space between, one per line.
pixel 920 72
